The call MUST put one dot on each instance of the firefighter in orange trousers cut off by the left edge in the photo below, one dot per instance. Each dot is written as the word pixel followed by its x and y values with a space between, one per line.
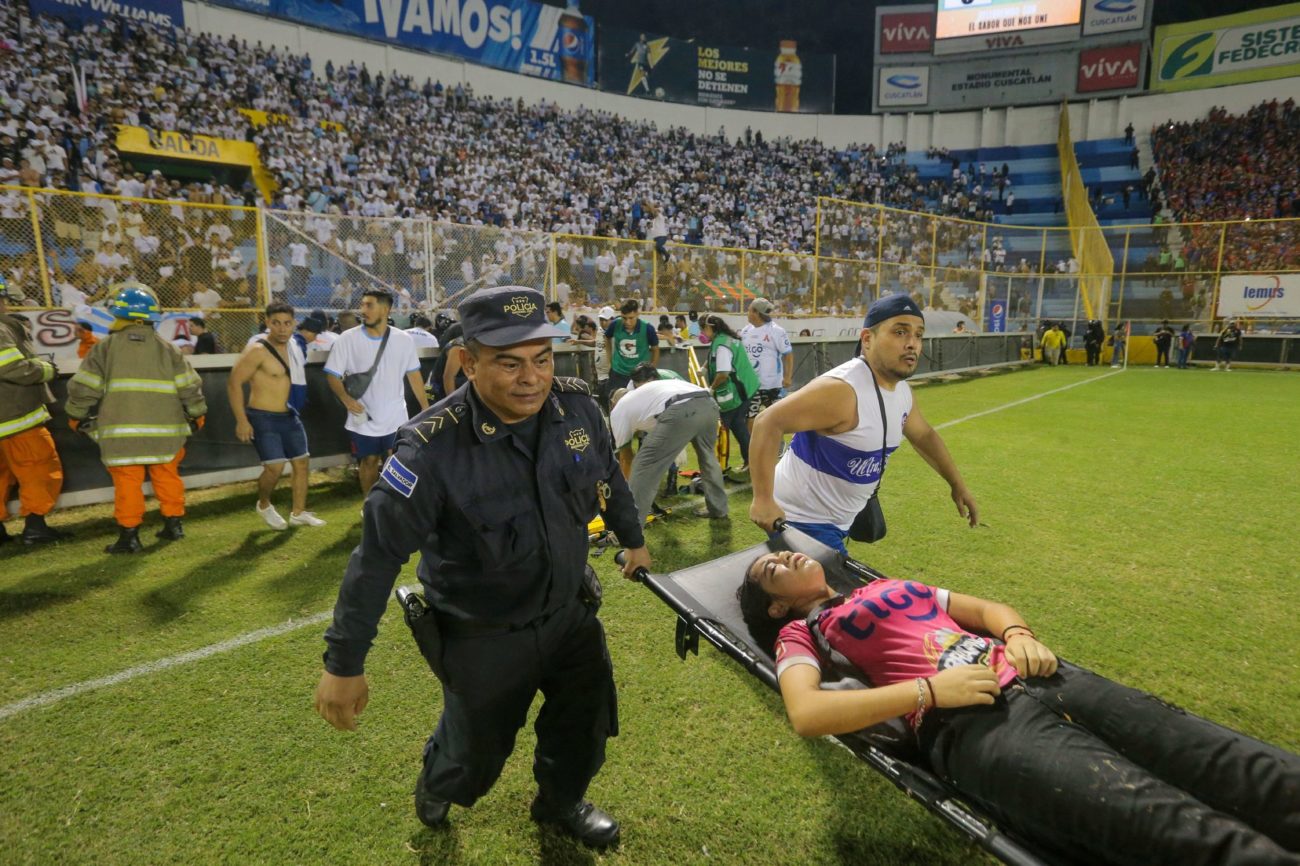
pixel 28 452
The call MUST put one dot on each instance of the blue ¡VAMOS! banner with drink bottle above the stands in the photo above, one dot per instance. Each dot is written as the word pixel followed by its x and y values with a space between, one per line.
pixel 519 36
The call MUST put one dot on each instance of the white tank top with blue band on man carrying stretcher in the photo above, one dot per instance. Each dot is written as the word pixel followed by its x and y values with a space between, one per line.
pixel 829 479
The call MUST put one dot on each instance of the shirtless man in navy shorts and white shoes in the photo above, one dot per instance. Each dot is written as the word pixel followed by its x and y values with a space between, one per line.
pixel 271 421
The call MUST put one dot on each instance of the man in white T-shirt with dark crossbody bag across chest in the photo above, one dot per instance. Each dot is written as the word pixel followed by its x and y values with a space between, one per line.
pixel 375 417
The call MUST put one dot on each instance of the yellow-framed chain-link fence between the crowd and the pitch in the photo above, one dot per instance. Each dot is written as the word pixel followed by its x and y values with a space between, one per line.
pixel 66 249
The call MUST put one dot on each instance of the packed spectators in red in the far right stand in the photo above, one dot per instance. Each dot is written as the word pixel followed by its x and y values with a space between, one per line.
pixel 1234 168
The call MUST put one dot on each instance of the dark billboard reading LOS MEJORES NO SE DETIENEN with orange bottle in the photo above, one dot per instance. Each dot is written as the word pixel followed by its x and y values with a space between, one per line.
pixel 782 79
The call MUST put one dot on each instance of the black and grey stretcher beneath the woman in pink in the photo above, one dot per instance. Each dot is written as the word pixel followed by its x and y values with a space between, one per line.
pixel 704 597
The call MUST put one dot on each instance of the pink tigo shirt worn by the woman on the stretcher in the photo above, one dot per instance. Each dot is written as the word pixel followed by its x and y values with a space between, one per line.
pixel 894 631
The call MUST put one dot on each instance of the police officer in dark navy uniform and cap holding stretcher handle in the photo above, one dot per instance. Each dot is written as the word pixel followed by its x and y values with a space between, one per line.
pixel 495 486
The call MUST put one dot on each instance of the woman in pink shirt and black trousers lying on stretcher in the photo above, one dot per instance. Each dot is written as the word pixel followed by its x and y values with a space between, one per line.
pixel 1091 769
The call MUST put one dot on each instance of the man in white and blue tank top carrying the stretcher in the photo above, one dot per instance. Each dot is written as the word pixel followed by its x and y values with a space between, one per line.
pixel 837 458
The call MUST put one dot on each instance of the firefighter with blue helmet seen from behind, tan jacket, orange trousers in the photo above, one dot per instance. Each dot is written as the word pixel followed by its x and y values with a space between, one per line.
pixel 138 397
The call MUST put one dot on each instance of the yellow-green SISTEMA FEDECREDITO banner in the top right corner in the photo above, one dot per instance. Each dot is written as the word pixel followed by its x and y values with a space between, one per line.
pixel 1249 46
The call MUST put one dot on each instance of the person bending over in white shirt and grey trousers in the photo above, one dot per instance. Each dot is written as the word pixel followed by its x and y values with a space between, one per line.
pixel 673 413
